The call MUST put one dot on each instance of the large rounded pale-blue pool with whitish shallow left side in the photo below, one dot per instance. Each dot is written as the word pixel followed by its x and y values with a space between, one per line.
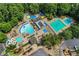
pixel 27 29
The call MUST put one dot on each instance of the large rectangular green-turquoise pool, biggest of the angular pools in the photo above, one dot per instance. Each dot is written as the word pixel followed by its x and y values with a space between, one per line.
pixel 57 25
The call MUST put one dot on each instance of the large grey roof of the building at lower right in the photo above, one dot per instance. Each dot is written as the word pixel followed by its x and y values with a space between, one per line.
pixel 70 44
